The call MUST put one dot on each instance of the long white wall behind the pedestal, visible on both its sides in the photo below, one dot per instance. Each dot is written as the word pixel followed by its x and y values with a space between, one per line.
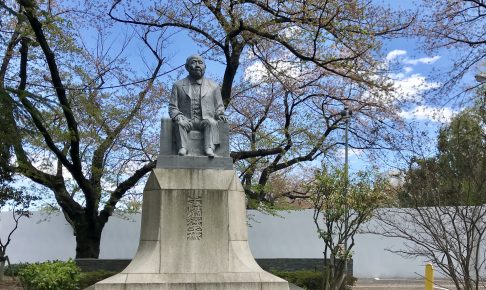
pixel 41 238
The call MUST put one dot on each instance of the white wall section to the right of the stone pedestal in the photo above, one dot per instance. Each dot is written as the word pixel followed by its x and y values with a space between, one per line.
pixel 295 236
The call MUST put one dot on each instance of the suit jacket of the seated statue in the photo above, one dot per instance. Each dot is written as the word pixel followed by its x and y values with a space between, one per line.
pixel 211 101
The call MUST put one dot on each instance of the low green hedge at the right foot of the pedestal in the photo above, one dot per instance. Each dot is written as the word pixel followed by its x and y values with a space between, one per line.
pixel 310 280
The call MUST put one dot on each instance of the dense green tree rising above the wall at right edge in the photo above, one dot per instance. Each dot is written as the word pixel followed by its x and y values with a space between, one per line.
pixel 455 176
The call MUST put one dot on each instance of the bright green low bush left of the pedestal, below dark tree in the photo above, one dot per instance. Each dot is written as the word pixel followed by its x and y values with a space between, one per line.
pixel 51 275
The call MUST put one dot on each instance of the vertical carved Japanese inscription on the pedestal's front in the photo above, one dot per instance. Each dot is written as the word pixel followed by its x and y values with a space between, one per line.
pixel 194 216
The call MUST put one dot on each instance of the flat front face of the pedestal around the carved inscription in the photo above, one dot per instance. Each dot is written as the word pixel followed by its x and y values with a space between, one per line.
pixel 206 250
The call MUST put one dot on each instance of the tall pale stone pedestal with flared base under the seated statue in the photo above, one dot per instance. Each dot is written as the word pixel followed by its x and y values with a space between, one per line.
pixel 194 236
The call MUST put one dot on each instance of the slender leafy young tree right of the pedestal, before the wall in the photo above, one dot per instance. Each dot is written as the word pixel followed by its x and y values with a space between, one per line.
pixel 341 206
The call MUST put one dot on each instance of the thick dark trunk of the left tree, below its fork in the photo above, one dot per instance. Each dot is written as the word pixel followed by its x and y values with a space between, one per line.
pixel 88 237
